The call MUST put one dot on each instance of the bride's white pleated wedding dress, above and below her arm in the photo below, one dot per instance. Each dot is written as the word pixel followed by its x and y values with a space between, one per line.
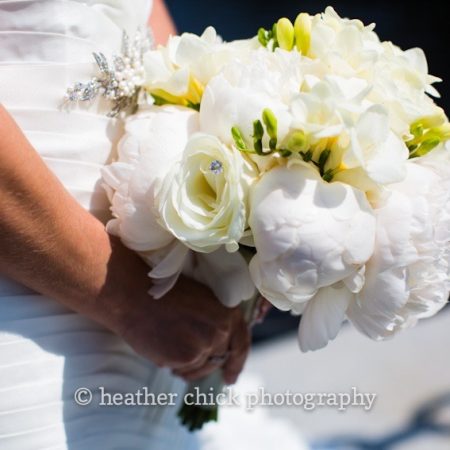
pixel 47 352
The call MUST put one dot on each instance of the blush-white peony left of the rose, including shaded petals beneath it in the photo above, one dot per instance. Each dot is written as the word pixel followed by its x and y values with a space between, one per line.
pixel 154 140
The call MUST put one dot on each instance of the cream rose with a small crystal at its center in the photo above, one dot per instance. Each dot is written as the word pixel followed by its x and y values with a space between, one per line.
pixel 202 200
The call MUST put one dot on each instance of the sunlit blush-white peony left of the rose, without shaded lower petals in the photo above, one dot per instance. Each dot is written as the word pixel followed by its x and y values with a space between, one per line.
pixel 153 140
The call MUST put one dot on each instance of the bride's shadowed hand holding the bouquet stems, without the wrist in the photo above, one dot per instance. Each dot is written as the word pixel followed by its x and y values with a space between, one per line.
pixel 189 331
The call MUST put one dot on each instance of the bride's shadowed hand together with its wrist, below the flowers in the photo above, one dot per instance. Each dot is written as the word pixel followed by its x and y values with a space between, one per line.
pixel 187 330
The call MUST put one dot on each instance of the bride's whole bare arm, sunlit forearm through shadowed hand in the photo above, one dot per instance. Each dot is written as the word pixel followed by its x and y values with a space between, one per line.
pixel 51 244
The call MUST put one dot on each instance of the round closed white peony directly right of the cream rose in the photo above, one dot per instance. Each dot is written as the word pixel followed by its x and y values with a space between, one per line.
pixel 308 234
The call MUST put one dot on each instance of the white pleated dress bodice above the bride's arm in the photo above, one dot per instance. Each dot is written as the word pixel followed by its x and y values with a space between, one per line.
pixel 45 47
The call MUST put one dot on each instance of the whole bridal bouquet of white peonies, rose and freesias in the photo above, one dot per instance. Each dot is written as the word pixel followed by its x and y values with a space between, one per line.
pixel 308 164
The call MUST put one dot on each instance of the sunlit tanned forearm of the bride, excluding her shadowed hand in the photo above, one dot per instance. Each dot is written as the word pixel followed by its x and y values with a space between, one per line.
pixel 47 240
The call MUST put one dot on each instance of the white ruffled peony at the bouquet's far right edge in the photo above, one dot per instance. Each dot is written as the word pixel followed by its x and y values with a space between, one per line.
pixel 407 278
